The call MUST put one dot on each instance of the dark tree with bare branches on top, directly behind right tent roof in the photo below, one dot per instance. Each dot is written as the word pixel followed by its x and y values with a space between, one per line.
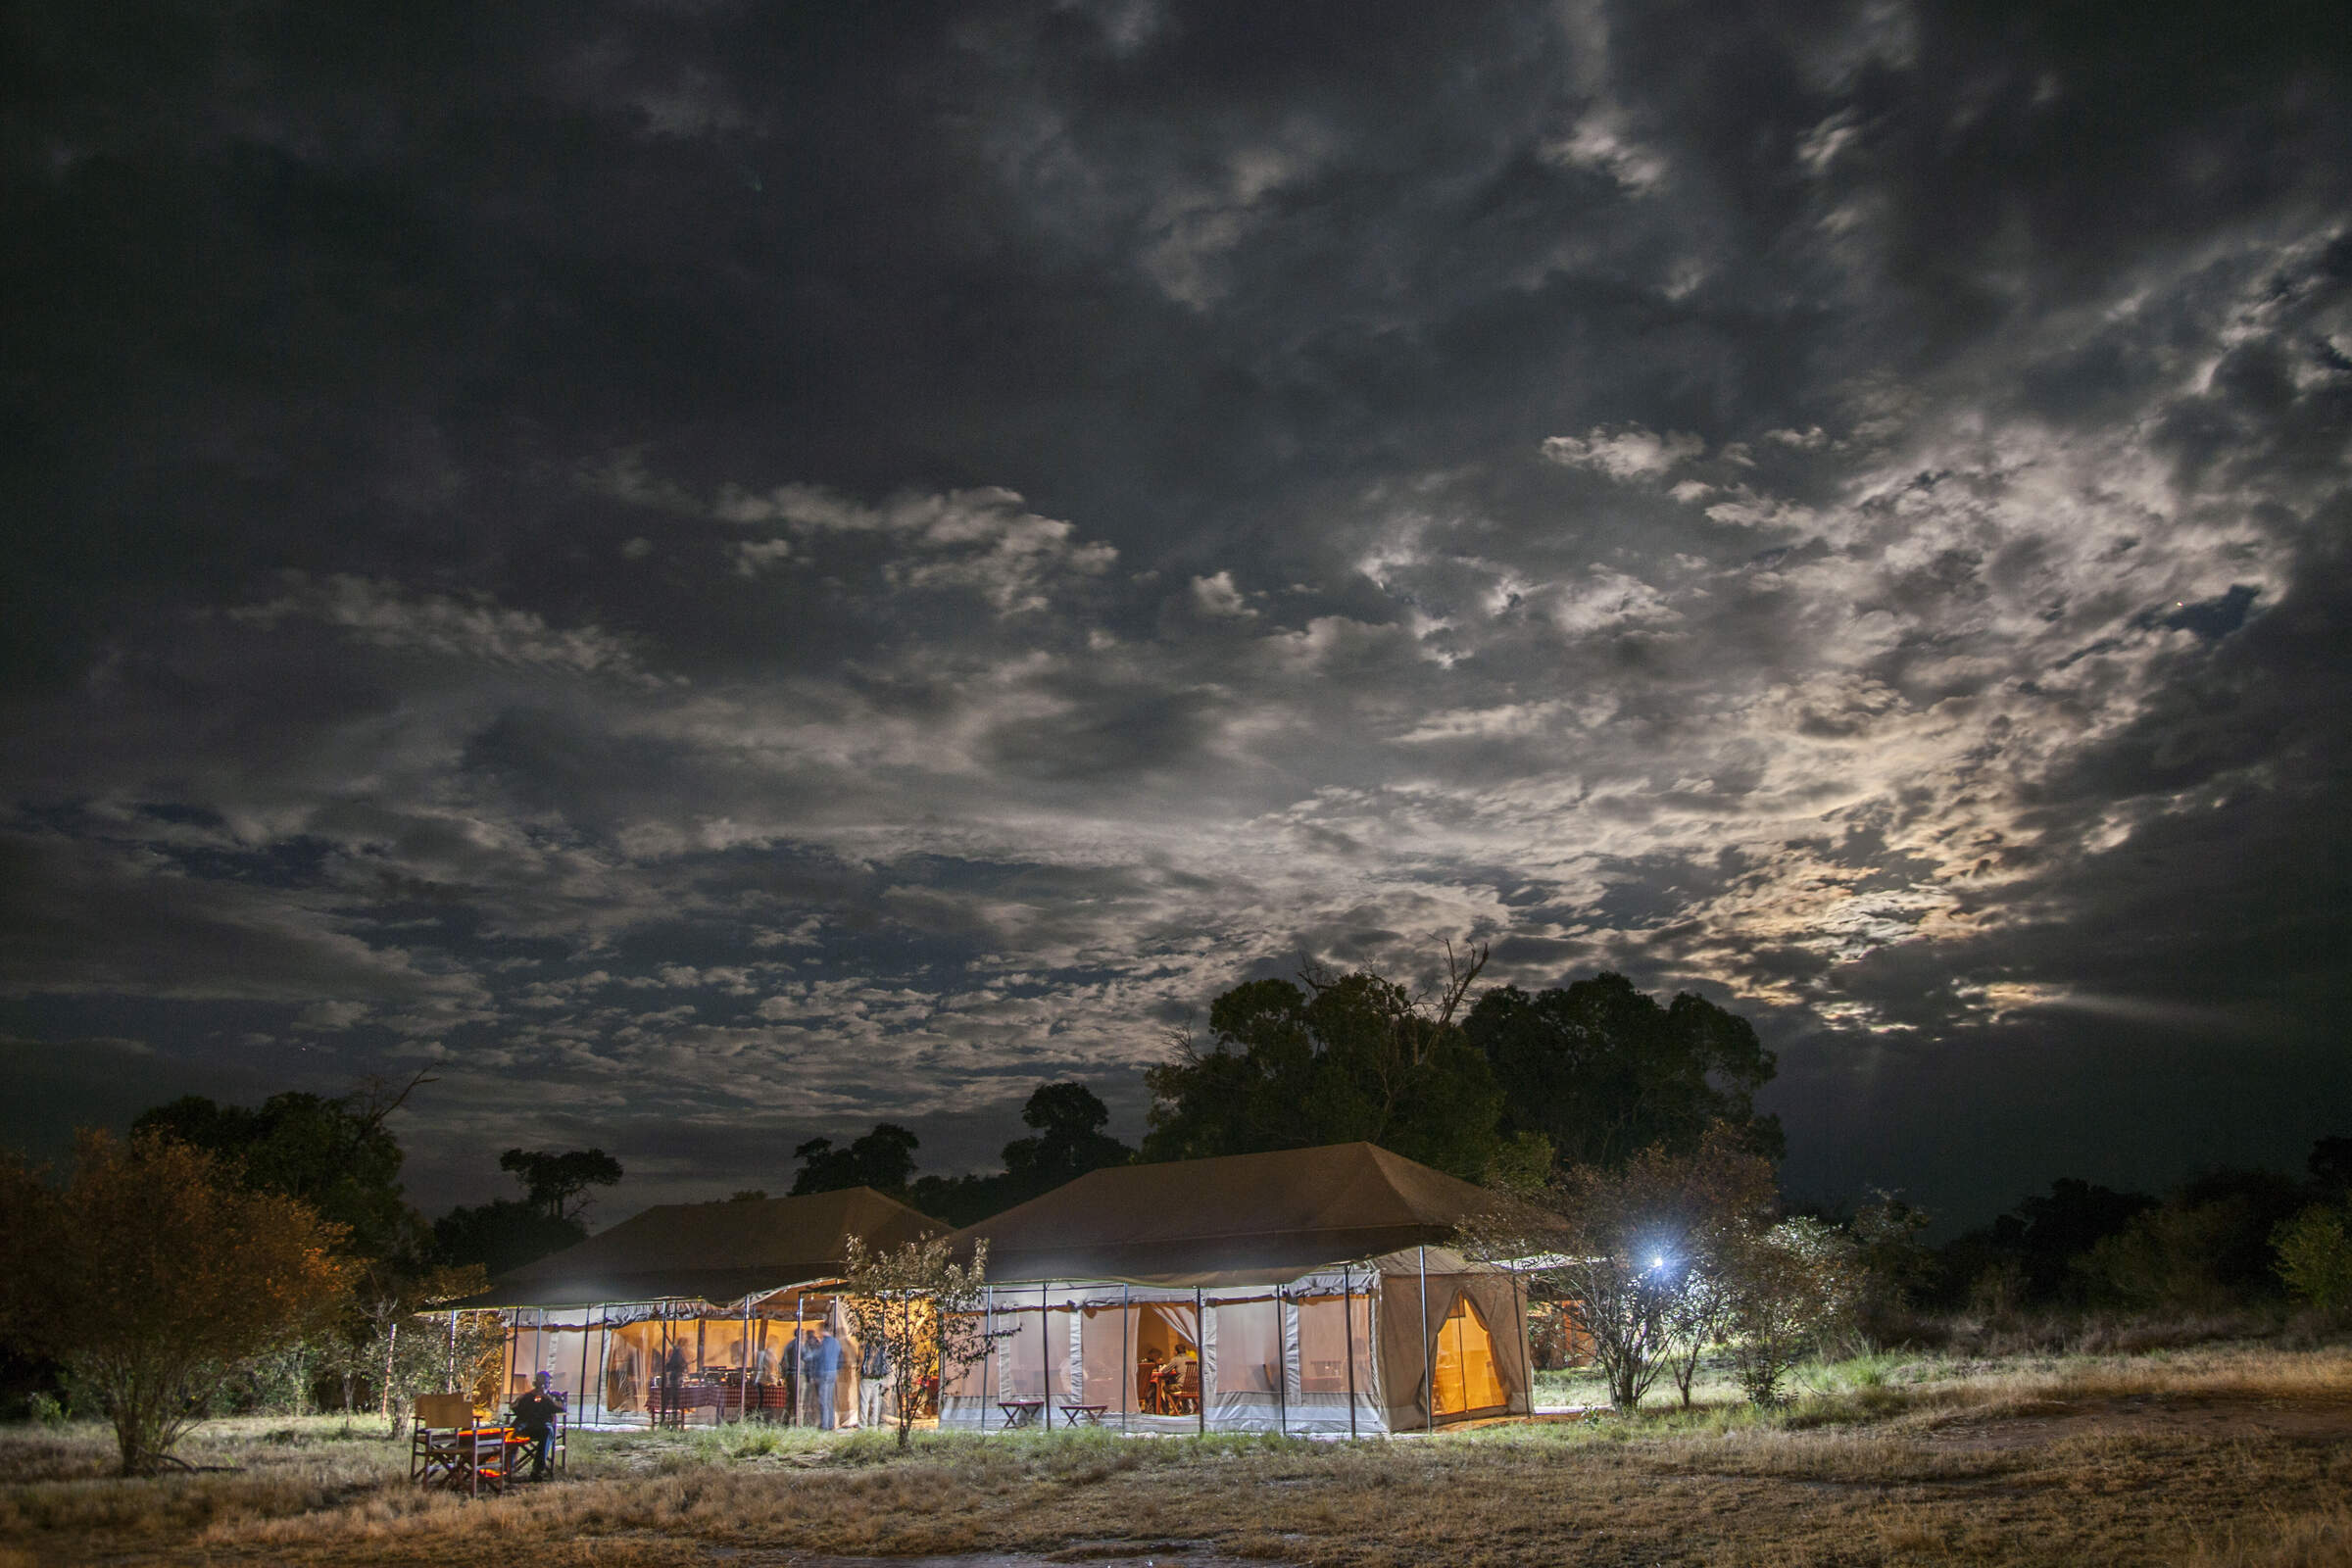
pixel 1347 1059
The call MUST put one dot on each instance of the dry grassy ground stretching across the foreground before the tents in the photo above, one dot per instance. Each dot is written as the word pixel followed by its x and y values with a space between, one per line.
pixel 2210 1459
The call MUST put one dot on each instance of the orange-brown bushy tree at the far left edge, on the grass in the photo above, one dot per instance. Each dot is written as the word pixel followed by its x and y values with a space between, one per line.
pixel 154 1275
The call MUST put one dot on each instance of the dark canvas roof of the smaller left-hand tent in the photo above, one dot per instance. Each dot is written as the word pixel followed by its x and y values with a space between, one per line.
pixel 711 1252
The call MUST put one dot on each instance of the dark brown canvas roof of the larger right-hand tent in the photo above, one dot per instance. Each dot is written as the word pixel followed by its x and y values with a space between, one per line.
pixel 1229 1221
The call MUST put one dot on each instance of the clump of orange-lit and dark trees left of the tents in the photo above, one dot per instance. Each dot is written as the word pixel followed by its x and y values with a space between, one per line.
pixel 255 1259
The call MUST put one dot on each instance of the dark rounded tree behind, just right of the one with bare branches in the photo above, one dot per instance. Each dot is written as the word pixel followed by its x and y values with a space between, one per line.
pixel 1603 1071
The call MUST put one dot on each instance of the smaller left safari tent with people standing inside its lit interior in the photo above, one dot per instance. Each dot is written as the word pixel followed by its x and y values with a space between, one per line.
pixel 723 1282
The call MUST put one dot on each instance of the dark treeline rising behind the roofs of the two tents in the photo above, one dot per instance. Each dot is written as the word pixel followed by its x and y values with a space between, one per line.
pixel 1511 1092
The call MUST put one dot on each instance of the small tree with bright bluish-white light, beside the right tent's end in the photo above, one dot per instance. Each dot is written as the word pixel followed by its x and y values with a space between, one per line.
pixel 1638 1257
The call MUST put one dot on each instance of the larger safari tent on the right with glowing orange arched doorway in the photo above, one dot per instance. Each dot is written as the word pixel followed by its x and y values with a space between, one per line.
pixel 1304 1292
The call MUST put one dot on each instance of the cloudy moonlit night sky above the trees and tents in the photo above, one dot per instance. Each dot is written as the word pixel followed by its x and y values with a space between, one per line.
pixel 719 572
